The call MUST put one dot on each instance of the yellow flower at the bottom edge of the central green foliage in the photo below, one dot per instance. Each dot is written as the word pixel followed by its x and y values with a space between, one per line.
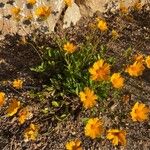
pixel 88 98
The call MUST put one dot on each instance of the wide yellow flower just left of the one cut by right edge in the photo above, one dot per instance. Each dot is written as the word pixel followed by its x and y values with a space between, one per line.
pixel 135 69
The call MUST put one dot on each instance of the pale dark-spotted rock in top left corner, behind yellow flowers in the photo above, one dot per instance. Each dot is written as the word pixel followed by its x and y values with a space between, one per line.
pixel 11 26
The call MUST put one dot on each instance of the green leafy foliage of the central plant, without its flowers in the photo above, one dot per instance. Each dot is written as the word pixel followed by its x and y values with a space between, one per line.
pixel 68 72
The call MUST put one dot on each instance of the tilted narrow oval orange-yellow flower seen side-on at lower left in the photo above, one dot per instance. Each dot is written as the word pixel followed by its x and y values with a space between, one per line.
pixel 13 108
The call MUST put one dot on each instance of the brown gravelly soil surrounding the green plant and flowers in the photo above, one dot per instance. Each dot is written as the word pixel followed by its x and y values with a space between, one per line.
pixel 16 60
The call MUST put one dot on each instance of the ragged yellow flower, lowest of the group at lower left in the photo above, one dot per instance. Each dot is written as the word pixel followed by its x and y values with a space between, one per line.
pixel 31 132
